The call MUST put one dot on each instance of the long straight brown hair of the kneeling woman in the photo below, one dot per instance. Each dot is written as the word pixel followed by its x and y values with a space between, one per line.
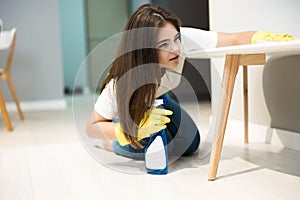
pixel 136 68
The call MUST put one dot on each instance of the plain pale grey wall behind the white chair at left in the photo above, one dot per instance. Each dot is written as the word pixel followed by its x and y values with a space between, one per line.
pixel 37 65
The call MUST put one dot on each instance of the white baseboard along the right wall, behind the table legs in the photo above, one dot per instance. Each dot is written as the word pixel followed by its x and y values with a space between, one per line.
pixel 264 134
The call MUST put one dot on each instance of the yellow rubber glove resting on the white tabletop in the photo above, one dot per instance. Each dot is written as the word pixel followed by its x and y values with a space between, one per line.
pixel 267 36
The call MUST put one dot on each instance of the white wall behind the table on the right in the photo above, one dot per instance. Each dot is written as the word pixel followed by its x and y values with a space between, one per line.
pixel 243 15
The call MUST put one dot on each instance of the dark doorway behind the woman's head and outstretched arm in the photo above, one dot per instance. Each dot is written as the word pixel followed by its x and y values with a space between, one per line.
pixel 193 13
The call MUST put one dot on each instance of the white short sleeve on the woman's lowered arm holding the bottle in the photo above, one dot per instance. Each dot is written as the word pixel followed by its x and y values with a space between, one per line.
pixel 106 102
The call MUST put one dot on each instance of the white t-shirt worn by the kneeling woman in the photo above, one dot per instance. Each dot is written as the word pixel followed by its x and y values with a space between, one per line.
pixel 191 39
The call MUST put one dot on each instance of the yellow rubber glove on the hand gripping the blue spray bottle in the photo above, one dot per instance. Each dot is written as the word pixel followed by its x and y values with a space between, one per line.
pixel 154 123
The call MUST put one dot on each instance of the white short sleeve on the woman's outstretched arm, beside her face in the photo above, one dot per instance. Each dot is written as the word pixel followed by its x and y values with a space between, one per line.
pixel 196 39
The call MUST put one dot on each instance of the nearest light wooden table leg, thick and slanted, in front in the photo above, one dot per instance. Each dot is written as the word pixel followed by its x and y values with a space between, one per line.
pixel 228 80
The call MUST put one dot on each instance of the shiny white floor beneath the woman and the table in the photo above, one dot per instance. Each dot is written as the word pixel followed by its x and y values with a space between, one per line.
pixel 43 158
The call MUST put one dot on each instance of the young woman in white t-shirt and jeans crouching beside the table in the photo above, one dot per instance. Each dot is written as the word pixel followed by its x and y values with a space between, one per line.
pixel 153 41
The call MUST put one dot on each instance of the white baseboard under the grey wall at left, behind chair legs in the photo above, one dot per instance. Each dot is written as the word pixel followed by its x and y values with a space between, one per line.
pixel 43 105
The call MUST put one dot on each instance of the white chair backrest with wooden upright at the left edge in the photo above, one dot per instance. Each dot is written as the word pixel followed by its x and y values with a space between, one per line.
pixel 7 41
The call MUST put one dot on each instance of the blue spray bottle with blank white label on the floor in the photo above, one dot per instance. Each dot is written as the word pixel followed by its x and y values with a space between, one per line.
pixel 156 153
